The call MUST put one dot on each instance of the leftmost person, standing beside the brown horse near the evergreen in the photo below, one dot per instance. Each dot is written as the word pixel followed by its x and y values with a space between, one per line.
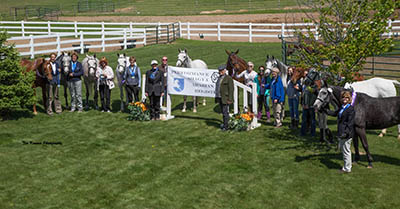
pixel 53 87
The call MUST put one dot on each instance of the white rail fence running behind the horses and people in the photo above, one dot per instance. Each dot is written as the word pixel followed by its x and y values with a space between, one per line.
pixel 124 31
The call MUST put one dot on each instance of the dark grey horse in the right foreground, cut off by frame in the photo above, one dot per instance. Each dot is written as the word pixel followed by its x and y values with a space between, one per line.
pixel 386 113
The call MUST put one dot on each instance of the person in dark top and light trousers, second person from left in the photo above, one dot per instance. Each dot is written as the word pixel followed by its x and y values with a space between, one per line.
pixel 75 83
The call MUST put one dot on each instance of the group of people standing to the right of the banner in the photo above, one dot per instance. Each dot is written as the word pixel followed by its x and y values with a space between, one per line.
pixel 298 93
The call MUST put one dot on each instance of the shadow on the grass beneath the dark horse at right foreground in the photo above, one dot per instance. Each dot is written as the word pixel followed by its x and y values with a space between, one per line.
pixel 327 159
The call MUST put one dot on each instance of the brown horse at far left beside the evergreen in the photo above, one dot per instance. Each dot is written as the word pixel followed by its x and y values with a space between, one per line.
pixel 43 74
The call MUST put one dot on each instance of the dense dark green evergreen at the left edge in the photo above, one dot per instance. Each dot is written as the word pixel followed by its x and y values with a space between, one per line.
pixel 15 84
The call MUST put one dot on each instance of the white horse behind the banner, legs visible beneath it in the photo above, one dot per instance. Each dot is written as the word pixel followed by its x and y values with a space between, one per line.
pixel 185 61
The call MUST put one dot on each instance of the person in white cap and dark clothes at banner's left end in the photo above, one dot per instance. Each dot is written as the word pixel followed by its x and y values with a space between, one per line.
pixel 154 89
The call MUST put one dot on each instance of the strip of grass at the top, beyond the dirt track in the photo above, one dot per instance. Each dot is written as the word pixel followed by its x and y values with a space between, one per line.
pixel 148 7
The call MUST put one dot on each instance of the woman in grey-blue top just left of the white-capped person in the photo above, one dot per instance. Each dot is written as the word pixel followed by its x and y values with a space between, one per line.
pixel 132 78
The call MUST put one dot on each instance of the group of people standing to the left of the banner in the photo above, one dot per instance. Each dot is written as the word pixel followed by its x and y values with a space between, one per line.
pixel 155 84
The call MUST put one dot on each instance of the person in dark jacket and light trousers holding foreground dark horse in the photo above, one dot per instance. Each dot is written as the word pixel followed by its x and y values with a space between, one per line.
pixel 346 115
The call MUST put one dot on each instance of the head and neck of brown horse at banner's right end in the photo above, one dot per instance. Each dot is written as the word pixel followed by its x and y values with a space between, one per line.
pixel 235 65
